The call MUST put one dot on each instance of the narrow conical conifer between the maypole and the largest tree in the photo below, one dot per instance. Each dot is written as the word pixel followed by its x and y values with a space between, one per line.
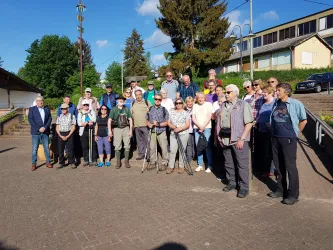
pixel 135 62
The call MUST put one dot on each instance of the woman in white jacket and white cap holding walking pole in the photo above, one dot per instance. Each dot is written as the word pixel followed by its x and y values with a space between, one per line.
pixel 86 119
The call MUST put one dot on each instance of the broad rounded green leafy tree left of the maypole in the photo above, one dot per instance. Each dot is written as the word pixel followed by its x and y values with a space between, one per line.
pixel 49 64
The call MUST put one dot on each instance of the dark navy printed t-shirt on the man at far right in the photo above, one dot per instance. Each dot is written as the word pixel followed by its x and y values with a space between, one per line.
pixel 281 121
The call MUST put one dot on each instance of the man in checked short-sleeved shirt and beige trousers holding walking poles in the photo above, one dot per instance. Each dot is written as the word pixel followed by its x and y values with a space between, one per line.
pixel 157 121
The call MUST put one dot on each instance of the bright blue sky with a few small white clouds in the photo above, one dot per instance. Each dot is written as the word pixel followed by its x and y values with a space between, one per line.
pixel 108 23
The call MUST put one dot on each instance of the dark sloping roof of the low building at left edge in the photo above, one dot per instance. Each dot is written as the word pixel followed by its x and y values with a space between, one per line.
pixel 12 82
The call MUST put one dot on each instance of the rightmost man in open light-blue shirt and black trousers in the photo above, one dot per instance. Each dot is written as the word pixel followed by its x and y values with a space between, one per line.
pixel 288 119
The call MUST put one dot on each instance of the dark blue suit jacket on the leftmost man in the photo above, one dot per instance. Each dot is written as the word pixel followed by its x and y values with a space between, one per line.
pixel 36 121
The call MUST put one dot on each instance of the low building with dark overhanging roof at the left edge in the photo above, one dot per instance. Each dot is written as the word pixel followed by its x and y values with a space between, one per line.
pixel 15 91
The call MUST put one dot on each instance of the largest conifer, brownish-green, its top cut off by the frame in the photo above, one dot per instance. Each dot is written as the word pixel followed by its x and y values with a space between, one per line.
pixel 198 33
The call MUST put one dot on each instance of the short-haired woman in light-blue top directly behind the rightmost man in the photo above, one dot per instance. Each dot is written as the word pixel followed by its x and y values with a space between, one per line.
pixel 263 134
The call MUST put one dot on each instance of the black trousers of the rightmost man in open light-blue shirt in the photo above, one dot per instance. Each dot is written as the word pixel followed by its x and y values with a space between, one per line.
pixel 284 157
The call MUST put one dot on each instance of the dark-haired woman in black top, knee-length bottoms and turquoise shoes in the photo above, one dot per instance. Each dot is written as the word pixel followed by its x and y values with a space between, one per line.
pixel 101 136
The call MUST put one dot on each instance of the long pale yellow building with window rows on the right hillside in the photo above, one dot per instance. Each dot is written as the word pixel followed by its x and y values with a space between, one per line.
pixel 302 43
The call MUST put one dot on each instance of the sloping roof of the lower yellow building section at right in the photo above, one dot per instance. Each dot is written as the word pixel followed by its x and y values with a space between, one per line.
pixel 286 44
